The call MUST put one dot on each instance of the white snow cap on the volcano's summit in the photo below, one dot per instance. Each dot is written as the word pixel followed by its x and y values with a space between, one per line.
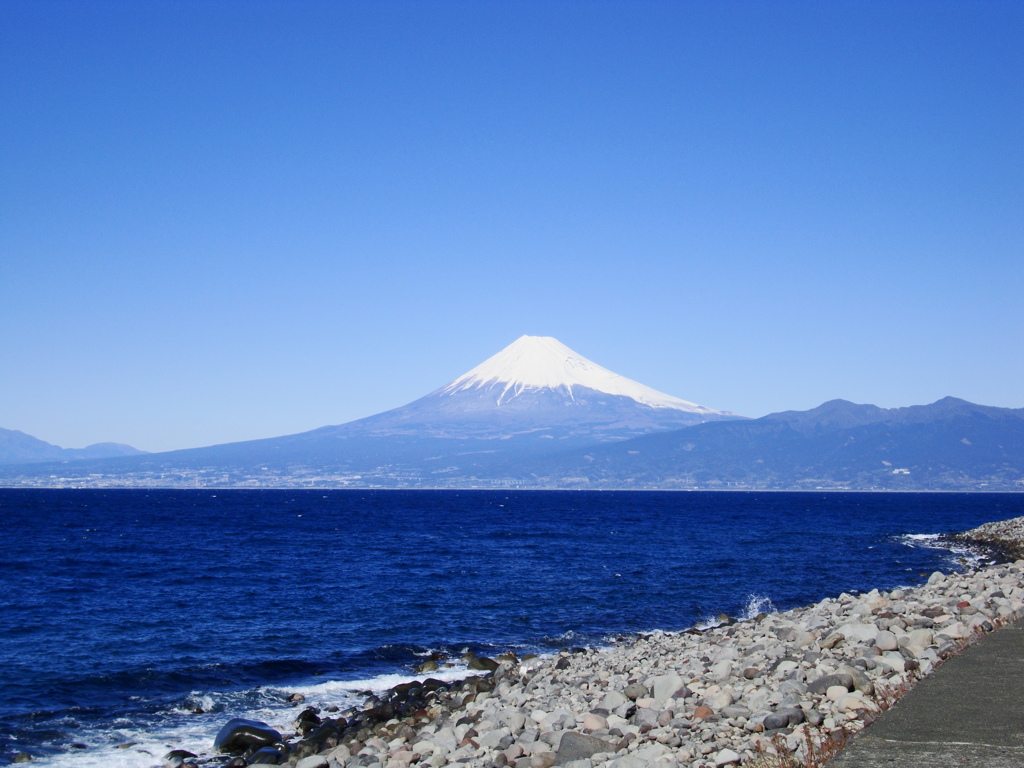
pixel 535 363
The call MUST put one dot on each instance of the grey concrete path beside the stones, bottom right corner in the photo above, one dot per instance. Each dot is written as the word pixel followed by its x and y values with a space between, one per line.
pixel 968 714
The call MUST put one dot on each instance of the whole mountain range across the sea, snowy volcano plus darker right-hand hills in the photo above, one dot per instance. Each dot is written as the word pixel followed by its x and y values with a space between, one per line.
pixel 538 415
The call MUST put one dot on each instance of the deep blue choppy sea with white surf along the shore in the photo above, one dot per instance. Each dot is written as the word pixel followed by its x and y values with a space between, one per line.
pixel 147 618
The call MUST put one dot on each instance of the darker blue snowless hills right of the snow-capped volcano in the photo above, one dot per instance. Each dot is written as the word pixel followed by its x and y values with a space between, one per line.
pixel 951 444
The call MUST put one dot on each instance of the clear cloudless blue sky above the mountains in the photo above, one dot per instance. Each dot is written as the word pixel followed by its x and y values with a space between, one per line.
pixel 227 221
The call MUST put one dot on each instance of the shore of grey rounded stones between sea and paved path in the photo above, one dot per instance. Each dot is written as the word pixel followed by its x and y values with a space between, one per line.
pixel 780 690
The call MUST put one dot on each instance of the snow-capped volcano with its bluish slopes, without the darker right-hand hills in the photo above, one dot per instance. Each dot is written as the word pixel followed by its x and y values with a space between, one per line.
pixel 535 398
